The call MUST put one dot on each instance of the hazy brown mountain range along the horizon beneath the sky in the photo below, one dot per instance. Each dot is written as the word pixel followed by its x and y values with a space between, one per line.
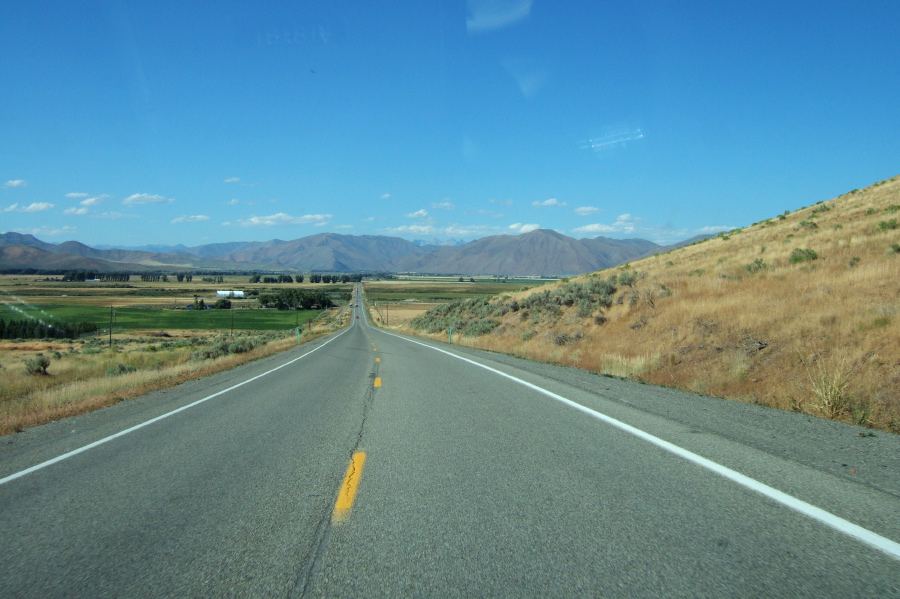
pixel 540 252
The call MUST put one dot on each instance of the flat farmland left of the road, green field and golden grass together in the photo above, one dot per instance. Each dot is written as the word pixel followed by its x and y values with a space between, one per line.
pixel 156 342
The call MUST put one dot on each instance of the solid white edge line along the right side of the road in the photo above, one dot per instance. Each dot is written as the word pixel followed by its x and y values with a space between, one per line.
pixel 859 533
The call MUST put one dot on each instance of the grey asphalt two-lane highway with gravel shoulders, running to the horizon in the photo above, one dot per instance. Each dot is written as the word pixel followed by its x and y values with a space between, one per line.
pixel 368 464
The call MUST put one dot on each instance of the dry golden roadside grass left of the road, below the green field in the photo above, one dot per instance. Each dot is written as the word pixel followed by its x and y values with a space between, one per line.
pixel 80 378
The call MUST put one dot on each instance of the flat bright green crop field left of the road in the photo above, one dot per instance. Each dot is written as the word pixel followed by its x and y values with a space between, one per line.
pixel 143 318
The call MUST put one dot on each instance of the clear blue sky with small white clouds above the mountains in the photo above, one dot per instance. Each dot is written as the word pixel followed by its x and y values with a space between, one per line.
pixel 133 123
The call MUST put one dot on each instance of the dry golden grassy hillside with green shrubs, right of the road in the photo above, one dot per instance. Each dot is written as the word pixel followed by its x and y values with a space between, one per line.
pixel 799 312
